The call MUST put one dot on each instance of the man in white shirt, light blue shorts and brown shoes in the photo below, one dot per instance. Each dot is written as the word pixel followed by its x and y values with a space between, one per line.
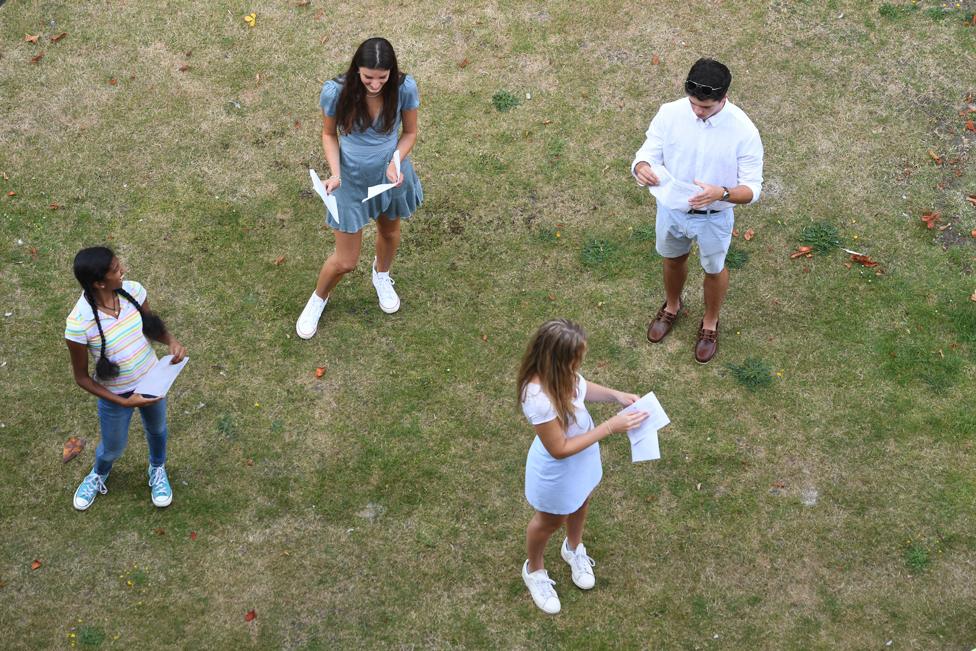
pixel 705 139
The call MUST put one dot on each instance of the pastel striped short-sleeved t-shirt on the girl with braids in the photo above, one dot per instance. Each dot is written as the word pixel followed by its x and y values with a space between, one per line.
pixel 124 342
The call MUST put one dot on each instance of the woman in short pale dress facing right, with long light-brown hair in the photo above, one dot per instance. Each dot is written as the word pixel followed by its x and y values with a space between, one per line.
pixel 563 465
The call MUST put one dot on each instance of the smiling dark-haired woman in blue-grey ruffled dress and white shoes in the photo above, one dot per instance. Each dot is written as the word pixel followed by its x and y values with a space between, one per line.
pixel 369 113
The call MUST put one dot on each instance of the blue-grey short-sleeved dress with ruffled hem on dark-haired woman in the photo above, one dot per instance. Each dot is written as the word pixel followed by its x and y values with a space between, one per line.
pixel 363 159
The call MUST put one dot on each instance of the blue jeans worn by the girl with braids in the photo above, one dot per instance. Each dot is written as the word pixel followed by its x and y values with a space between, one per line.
pixel 114 420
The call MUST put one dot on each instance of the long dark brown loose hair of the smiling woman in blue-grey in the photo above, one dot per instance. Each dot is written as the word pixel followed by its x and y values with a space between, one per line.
pixel 352 113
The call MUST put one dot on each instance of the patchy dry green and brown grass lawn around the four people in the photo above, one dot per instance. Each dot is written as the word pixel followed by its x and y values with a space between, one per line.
pixel 381 505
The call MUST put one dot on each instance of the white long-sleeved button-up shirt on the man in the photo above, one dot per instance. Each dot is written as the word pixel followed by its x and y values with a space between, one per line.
pixel 723 150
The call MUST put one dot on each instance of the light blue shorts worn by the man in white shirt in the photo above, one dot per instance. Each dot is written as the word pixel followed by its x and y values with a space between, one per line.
pixel 676 230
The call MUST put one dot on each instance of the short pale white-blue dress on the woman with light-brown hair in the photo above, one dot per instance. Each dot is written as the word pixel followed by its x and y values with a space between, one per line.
pixel 559 486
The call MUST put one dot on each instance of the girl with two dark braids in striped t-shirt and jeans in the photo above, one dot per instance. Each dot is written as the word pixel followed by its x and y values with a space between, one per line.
pixel 113 322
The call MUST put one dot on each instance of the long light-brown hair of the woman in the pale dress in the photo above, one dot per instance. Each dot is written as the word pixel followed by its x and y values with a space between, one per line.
pixel 553 356
